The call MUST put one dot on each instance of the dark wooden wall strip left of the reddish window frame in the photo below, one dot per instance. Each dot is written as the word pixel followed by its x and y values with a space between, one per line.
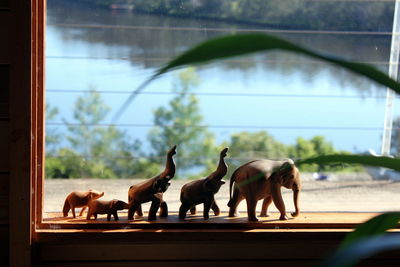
pixel 15 85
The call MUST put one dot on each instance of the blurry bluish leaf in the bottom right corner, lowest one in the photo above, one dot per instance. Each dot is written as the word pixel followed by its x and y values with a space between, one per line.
pixel 361 249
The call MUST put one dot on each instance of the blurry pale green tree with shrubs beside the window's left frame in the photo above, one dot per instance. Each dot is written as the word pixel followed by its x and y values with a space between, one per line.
pixel 95 150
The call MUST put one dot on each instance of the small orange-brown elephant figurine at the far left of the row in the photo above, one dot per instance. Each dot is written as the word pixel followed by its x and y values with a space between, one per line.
pixel 79 199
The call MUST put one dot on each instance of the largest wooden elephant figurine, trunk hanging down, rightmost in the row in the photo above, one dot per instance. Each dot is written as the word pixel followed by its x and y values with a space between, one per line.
pixel 263 179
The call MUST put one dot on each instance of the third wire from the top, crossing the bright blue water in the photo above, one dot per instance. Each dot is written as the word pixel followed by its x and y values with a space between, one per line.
pixel 214 94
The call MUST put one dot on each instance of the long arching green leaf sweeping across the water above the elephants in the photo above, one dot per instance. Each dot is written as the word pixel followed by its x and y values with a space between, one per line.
pixel 240 44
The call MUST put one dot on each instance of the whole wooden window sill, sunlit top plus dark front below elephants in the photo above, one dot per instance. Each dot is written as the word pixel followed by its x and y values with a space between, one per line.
pixel 308 237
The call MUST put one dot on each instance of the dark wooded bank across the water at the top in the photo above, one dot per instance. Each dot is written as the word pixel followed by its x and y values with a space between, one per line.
pixel 293 14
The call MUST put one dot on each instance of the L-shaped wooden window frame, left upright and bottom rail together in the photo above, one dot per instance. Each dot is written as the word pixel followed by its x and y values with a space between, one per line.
pixel 29 244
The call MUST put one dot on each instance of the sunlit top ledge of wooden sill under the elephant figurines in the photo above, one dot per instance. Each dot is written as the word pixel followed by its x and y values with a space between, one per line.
pixel 307 220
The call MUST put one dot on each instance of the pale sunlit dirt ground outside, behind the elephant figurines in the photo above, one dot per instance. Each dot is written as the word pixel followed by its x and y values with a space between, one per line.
pixel 339 193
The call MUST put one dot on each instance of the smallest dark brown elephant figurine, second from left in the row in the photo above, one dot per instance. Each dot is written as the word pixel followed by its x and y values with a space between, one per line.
pixel 110 207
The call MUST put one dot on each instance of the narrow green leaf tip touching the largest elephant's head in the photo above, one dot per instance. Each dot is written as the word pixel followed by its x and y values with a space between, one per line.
pixel 385 162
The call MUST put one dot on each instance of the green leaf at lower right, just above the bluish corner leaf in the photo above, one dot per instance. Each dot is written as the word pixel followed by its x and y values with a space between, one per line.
pixel 373 227
